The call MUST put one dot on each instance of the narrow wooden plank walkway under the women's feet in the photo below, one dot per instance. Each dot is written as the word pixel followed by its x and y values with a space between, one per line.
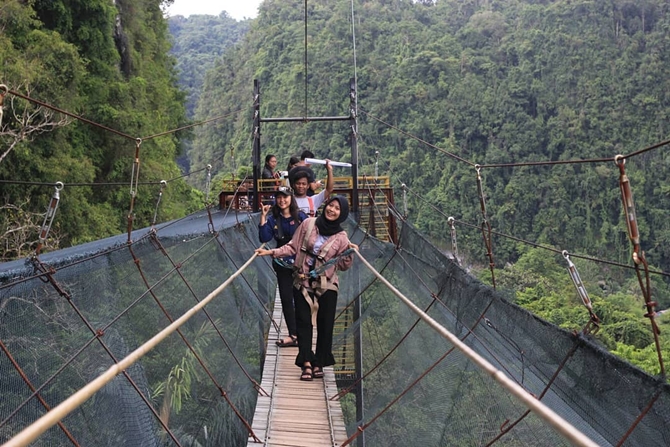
pixel 297 413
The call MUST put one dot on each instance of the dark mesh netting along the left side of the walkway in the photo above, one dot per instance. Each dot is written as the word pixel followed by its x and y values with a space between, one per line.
pixel 61 341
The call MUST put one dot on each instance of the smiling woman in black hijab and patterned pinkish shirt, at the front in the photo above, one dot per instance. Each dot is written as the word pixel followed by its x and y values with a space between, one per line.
pixel 315 242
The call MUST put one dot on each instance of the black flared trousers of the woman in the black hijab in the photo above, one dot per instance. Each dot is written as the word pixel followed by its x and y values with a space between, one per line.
pixel 325 322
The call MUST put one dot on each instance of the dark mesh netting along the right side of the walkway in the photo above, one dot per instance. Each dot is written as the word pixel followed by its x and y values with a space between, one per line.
pixel 455 403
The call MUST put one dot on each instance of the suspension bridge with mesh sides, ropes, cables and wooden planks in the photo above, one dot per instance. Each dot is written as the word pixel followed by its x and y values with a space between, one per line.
pixel 165 336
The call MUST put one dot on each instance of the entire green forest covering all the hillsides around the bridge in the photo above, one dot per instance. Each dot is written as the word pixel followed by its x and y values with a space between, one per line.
pixel 490 82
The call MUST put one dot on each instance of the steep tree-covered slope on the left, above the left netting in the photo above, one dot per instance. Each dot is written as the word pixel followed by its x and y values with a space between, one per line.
pixel 107 62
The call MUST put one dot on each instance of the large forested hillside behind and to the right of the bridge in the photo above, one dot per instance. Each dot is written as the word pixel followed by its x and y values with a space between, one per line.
pixel 491 82
